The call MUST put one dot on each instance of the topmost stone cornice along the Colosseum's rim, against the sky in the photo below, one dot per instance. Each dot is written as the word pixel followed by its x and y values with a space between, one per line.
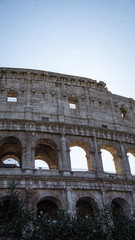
pixel 58 78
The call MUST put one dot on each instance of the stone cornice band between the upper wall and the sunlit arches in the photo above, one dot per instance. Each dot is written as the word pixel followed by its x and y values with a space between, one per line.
pixel 98 132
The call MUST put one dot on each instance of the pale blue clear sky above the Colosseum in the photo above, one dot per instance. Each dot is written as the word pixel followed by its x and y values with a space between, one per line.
pixel 90 38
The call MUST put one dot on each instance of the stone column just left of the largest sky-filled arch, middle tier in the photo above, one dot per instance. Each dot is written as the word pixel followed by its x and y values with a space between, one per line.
pixel 65 159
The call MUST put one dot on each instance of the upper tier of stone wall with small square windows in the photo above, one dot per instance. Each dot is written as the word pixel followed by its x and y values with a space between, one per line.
pixel 45 96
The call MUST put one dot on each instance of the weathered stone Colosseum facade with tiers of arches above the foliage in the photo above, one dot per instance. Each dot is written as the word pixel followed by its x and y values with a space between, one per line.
pixel 43 116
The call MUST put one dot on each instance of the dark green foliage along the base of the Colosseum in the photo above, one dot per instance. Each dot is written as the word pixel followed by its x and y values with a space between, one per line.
pixel 17 222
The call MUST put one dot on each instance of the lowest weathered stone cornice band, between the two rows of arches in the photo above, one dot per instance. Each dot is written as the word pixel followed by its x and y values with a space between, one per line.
pixel 88 183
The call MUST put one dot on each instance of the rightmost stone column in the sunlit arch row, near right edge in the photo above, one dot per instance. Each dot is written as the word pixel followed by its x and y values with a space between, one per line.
pixel 124 161
